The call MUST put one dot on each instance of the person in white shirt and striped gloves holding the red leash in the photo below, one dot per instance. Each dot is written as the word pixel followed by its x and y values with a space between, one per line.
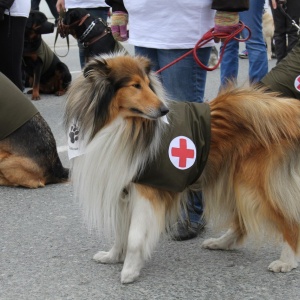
pixel 163 31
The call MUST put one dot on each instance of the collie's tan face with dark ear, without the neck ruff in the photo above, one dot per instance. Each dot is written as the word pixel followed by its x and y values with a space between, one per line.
pixel 131 88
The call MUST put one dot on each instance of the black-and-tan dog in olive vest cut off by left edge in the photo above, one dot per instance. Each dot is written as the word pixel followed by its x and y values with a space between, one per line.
pixel 28 155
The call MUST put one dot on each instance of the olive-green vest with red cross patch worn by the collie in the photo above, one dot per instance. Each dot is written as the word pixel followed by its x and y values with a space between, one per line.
pixel 184 151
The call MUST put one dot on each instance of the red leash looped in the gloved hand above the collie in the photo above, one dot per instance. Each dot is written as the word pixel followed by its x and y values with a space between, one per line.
pixel 207 37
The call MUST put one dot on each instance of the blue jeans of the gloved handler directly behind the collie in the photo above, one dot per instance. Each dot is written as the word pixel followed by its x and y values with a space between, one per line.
pixel 184 81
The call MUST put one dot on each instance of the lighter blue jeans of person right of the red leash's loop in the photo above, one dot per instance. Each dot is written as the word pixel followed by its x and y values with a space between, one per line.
pixel 256 47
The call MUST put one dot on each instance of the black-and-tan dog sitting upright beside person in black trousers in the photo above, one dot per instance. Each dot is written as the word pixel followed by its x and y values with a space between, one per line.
pixel 43 70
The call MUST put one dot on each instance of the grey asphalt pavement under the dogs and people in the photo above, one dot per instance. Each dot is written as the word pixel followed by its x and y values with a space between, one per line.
pixel 46 249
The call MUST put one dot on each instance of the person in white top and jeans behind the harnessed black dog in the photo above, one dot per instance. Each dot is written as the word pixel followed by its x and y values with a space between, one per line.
pixel 97 8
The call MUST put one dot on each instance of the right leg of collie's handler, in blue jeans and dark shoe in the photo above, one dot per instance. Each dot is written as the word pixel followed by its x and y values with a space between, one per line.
pixel 185 81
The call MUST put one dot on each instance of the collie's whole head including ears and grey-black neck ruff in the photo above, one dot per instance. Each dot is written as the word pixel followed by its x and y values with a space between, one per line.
pixel 115 86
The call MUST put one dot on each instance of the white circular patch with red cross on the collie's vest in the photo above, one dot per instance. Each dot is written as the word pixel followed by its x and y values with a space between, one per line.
pixel 182 152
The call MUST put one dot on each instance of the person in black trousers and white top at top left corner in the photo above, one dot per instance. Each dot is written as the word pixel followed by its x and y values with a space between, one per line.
pixel 13 18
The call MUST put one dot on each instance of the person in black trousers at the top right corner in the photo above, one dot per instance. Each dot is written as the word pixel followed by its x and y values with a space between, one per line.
pixel 285 35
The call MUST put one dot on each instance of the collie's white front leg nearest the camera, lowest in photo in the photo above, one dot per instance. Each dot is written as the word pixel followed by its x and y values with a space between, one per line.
pixel 144 232
